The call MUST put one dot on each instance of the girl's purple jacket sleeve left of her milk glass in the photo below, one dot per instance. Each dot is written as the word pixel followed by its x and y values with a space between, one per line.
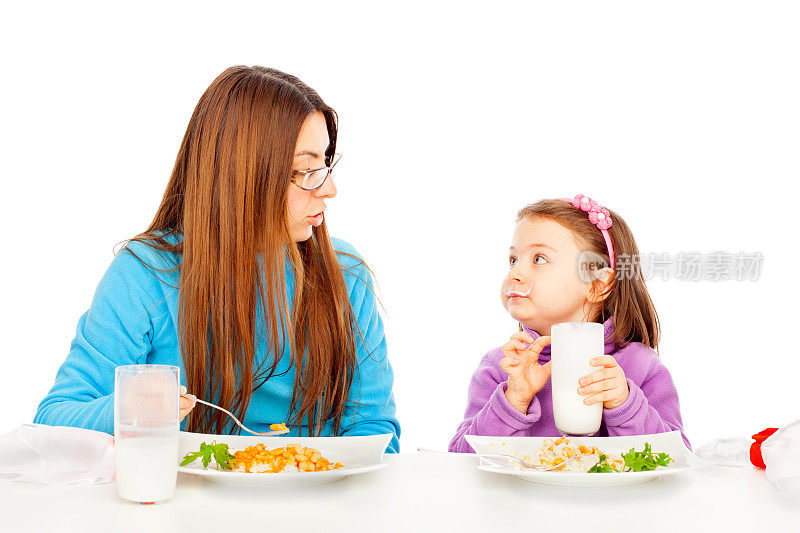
pixel 488 411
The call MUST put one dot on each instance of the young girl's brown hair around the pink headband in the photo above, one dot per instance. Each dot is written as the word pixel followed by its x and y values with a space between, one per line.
pixel 626 298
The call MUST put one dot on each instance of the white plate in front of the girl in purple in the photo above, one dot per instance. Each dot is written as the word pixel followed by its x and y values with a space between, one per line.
pixel 670 442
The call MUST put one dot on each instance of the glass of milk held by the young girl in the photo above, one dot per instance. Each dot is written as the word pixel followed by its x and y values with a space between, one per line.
pixel 572 345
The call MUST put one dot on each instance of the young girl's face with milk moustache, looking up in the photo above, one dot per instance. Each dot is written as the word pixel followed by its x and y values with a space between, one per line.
pixel 544 258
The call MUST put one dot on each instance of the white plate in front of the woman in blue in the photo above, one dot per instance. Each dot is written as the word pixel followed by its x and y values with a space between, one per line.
pixel 359 455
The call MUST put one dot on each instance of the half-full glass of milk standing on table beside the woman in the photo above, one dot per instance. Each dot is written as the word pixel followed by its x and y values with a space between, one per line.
pixel 146 431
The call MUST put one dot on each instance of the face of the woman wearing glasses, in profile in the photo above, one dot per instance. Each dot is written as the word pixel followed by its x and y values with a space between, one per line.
pixel 305 208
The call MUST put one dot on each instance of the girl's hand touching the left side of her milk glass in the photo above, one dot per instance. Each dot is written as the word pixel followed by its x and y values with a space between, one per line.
pixel 526 376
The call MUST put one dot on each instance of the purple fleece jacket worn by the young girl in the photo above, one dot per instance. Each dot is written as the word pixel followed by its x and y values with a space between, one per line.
pixel 652 404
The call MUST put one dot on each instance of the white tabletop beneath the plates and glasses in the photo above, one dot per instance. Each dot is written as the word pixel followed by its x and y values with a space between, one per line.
pixel 417 493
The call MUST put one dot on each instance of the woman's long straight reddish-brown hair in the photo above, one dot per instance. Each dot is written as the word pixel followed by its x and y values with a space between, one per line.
pixel 226 206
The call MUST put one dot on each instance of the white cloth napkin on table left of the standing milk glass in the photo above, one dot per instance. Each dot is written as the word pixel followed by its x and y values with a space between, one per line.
pixel 56 455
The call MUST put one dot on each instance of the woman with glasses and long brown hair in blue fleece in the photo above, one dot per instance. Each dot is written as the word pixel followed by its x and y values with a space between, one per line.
pixel 237 282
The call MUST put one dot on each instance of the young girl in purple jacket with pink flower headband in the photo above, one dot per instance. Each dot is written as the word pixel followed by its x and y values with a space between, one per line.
pixel 510 391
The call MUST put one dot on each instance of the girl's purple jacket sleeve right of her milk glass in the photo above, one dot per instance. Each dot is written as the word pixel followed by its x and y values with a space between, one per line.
pixel 651 407
